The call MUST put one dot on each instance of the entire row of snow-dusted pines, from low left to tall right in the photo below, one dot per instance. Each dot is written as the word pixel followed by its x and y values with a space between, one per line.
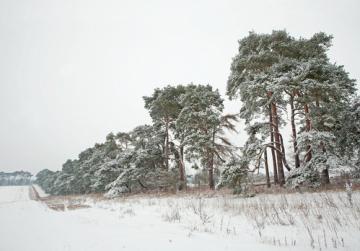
pixel 276 77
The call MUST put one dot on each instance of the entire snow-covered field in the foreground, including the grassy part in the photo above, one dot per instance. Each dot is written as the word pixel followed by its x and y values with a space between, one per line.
pixel 319 221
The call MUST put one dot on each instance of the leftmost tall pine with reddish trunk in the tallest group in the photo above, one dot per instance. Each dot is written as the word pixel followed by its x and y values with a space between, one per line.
pixel 252 79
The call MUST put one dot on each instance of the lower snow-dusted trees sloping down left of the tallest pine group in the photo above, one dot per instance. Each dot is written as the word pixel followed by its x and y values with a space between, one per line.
pixel 188 126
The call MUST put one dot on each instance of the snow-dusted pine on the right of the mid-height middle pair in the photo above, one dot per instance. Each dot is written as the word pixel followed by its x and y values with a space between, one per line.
pixel 199 120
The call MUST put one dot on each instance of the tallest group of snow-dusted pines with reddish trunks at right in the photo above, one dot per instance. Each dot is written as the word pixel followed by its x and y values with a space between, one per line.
pixel 277 76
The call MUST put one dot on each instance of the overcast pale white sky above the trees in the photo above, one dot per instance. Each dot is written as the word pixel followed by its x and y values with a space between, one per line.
pixel 72 71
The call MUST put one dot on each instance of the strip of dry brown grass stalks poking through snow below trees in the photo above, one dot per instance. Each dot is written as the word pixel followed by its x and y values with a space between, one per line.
pixel 319 221
